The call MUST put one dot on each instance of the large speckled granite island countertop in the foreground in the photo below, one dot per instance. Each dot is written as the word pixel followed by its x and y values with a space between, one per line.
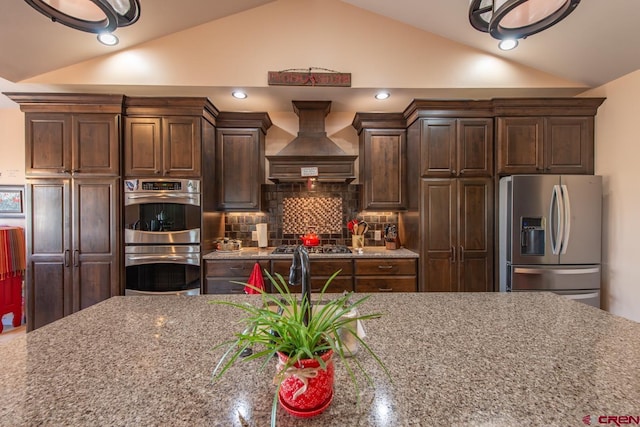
pixel 456 359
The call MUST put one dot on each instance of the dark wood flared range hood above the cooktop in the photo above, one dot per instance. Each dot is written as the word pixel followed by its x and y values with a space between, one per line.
pixel 311 151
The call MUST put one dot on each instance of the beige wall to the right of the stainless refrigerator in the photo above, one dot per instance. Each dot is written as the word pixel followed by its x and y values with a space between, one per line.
pixel 618 161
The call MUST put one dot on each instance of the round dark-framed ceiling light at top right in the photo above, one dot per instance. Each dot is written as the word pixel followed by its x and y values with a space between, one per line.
pixel 517 19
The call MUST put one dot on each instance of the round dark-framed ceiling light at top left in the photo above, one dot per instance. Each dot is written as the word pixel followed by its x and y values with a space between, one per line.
pixel 92 16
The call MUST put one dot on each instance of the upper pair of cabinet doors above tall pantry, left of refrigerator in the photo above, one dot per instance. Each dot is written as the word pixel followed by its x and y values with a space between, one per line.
pixel 452 147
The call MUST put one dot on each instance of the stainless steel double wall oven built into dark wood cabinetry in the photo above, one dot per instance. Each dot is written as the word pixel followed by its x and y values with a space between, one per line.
pixel 162 236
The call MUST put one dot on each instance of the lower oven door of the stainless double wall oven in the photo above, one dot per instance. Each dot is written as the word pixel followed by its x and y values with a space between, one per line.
pixel 160 270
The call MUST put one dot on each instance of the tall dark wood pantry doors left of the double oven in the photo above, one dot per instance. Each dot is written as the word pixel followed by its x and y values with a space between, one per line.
pixel 73 246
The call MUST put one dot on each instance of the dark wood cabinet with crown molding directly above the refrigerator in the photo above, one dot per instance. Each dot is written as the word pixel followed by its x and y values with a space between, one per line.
pixel 546 136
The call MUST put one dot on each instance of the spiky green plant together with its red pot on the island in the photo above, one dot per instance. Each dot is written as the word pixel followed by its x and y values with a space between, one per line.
pixel 304 339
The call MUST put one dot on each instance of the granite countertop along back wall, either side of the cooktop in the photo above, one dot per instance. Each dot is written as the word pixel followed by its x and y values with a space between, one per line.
pixel 266 253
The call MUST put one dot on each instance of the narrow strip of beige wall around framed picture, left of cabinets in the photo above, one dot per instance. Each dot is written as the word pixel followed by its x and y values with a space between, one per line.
pixel 11 153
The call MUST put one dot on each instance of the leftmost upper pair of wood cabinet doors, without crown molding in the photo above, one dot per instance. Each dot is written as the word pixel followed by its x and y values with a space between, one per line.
pixel 62 144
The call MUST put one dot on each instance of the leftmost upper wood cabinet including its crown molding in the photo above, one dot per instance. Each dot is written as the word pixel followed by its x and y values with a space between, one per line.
pixel 71 135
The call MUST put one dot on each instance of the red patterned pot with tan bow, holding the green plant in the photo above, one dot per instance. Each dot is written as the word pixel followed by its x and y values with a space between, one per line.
pixel 310 399
